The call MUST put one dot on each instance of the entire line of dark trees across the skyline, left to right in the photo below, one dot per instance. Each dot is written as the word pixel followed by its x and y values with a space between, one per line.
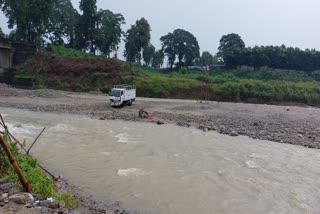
pixel 99 32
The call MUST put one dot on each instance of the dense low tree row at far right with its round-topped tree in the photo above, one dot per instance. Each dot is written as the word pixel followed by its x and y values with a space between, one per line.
pixel 234 53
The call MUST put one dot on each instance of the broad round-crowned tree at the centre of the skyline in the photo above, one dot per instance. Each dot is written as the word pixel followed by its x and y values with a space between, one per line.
pixel 182 45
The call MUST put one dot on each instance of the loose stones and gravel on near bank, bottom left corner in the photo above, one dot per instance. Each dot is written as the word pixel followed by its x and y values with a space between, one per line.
pixel 13 200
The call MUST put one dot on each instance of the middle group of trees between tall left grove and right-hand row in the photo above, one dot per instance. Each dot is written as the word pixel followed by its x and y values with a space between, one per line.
pixel 180 47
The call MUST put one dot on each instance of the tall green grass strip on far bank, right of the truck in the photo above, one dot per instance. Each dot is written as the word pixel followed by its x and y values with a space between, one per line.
pixel 263 86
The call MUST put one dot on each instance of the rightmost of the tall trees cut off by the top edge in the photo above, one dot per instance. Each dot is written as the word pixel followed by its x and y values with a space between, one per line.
pixel 87 24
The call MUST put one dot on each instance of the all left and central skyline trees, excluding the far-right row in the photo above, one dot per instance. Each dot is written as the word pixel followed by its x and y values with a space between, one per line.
pixel 97 31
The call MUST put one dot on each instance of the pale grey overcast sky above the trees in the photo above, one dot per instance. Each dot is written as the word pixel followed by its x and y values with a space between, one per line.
pixel 259 22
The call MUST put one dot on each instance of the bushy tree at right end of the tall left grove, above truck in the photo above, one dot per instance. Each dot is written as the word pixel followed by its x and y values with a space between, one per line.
pixel 109 31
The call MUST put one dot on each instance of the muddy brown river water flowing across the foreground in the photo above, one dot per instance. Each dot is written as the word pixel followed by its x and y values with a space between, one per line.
pixel 168 169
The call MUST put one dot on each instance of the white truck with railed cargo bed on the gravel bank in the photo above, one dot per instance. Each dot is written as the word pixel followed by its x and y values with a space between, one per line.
pixel 122 95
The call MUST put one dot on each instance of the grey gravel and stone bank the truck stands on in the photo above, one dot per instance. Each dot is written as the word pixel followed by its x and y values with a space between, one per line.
pixel 285 124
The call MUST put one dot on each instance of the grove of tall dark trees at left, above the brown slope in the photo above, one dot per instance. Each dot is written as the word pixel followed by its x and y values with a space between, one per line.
pixel 36 21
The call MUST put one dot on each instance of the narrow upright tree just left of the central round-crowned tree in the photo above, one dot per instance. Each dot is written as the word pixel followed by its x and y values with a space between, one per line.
pixel 137 38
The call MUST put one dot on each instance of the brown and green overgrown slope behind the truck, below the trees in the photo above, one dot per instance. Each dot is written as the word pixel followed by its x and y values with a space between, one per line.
pixel 58 70
